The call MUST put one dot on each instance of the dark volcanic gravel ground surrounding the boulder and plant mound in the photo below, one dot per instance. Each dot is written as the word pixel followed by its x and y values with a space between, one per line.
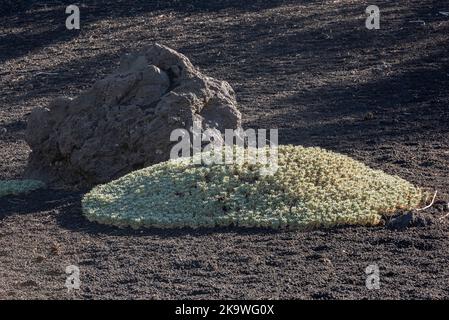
pixel 312 70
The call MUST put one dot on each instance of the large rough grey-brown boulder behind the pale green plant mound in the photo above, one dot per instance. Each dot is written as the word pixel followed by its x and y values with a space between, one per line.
pixel 124 122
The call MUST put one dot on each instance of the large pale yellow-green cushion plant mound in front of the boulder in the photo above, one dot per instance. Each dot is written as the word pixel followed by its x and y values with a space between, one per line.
pixel 312 187
